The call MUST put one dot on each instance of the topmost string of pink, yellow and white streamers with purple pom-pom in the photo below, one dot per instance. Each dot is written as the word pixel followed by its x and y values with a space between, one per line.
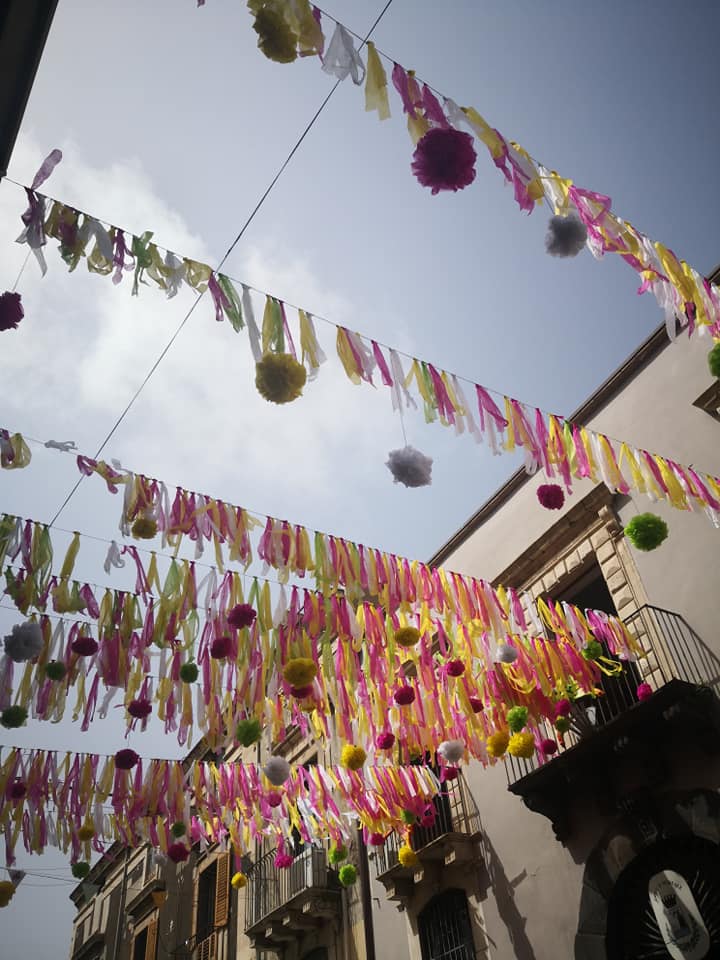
pixel 444 135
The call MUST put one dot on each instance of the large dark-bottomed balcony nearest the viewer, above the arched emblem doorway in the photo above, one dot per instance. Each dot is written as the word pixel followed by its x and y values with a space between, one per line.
pixel 618 744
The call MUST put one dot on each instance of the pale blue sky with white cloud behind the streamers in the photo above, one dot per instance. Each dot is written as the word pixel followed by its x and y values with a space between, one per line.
pixel 170 119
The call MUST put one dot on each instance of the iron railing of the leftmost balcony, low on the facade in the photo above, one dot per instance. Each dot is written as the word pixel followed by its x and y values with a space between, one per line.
pixel 269 888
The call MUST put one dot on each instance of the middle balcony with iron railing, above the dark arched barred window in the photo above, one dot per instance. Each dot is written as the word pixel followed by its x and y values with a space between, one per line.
pixel 453 838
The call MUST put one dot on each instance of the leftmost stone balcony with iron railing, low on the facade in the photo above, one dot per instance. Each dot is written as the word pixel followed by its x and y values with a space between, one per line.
pixel 282 904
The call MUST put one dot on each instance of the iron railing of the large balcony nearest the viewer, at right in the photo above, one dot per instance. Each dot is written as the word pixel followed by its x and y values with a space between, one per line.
pixel 673 651
